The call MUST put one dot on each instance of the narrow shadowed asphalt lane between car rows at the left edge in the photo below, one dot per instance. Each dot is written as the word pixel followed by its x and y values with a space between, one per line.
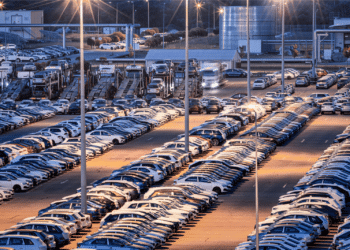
pixel 34 127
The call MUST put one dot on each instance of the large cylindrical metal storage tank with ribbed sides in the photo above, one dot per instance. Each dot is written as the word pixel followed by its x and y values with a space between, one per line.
pixel 233 24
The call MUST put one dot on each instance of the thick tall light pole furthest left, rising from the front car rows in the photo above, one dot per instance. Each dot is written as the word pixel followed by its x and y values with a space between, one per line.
pixel 82 116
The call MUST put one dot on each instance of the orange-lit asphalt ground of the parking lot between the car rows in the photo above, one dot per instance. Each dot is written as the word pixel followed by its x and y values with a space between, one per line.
pixel 228 222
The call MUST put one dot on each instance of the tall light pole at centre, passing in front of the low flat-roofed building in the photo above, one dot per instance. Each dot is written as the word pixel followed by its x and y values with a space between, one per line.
pixel 187 113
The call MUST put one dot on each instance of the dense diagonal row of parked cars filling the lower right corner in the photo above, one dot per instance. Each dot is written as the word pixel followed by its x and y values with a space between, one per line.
pixel 314 204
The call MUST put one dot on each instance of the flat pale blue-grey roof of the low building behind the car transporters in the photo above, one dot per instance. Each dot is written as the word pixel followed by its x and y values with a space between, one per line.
pixel 199 54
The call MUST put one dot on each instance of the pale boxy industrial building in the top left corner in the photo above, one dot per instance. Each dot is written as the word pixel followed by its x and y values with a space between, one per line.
pixel 23 17
